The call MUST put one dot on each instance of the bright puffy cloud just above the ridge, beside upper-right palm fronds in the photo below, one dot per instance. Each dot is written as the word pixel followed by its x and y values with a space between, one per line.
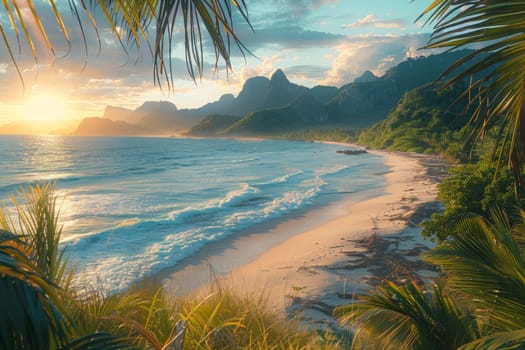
pixel 374 53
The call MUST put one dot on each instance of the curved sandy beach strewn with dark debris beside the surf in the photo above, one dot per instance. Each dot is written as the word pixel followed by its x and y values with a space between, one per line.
pixel 313 262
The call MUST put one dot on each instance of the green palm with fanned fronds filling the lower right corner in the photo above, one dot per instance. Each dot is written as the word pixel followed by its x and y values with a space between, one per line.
pixel 480 306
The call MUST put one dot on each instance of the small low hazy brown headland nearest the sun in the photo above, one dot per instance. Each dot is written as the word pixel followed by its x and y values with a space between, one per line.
pixel 104 127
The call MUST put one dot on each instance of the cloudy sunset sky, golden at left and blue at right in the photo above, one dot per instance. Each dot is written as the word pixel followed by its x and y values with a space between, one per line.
pixel 315 42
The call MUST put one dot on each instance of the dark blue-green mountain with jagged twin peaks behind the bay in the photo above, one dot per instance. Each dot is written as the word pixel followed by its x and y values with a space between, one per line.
pixel 359 104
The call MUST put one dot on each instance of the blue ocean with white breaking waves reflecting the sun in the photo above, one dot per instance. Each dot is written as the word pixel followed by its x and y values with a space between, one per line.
pixel 133 206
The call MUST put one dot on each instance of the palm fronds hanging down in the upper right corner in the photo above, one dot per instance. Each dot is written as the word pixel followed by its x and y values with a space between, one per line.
pixel 496 67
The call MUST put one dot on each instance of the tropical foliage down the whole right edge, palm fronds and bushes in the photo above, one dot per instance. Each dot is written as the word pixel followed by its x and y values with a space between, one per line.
pixel 477 301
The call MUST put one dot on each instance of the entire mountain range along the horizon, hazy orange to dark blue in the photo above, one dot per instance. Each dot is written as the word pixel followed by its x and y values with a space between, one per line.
pixel 273 107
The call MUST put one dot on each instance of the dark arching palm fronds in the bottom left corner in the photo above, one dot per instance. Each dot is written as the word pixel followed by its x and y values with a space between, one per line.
pixel 32 316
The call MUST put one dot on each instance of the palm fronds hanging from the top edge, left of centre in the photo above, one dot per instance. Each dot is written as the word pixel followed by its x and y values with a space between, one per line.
pixel 131 21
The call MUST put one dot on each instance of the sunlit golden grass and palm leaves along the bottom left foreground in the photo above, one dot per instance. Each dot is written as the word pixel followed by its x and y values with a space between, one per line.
pixel 43 309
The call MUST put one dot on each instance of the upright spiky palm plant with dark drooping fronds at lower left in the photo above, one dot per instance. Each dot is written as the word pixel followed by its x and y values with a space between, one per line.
pixel 35 291
